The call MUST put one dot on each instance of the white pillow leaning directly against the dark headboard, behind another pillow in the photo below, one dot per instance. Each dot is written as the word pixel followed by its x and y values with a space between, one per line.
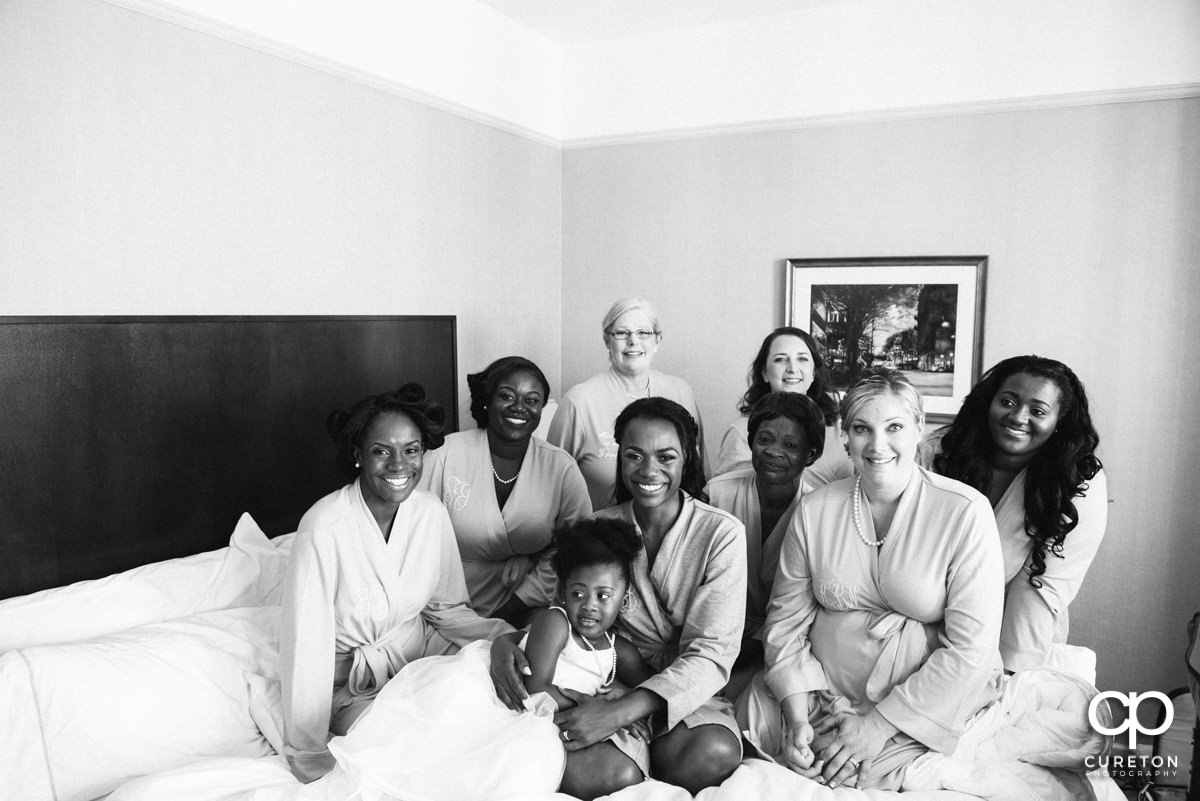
pixel 249 573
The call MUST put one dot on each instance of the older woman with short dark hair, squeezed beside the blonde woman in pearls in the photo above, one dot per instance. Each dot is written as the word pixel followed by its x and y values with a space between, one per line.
pixel 787 436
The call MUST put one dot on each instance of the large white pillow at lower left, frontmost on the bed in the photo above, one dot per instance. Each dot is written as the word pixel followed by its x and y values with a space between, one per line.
pixel 82 719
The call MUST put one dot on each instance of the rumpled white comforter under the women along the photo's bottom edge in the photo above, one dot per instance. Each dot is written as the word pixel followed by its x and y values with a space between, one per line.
pixel 1016 751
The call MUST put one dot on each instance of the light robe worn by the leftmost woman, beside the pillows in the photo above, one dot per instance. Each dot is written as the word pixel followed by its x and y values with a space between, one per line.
pixel 357 610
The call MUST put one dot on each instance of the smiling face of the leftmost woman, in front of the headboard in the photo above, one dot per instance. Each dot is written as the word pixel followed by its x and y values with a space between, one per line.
pixel 391 457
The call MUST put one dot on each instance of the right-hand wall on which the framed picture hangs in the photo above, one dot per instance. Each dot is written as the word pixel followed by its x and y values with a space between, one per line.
pixel 1089 218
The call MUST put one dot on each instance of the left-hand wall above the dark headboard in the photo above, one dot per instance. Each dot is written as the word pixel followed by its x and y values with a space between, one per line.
pixel 151 170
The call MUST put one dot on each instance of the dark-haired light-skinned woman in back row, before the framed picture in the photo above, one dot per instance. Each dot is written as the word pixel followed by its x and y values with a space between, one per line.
pixel 789 360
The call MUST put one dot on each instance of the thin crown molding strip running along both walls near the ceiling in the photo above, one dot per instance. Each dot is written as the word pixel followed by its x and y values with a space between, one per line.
pixel 298 56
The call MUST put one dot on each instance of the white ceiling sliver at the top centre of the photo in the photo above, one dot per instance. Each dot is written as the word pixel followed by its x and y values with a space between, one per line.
pixel 581 21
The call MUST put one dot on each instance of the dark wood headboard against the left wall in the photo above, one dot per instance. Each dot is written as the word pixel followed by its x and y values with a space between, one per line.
pixel 134 439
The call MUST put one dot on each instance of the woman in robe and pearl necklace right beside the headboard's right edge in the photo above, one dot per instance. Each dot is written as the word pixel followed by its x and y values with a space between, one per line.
pixel 507 491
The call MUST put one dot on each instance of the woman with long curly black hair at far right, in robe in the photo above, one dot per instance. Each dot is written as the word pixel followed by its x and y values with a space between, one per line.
pixel 1025 439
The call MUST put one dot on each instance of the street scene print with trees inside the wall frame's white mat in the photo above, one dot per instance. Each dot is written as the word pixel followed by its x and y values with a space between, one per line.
pixel 910 328
